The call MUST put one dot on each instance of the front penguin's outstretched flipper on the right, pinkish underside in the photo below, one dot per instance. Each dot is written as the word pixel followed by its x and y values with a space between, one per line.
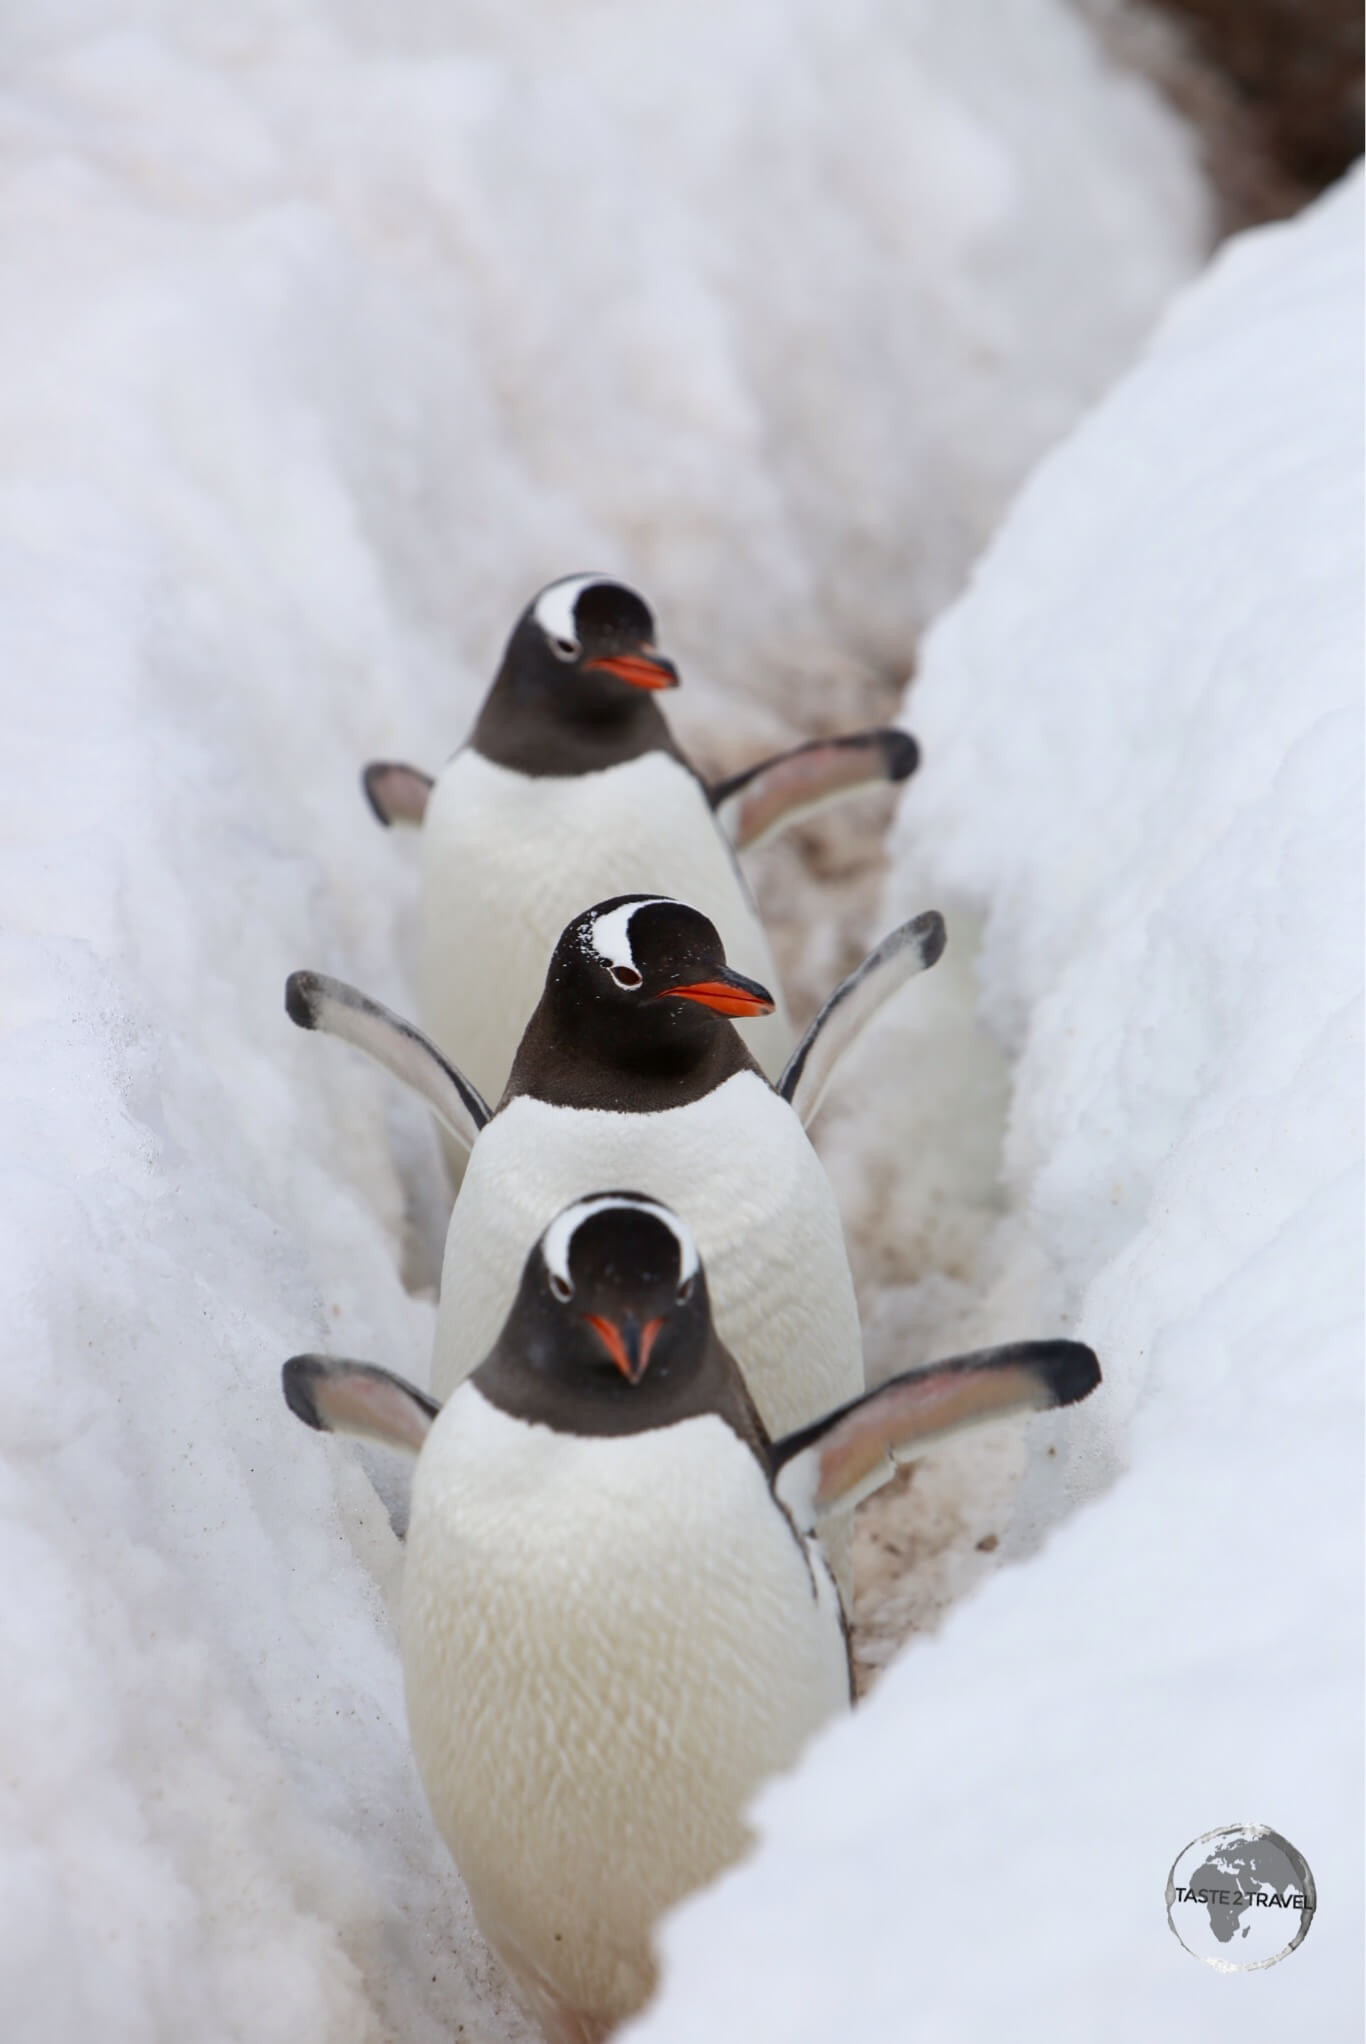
pixel 846 1456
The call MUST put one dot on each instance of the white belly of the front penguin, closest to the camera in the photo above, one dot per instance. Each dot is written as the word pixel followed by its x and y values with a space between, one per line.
pixel 608 1644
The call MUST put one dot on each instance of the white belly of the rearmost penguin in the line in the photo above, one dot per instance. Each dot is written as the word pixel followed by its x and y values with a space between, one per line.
pixel 508 862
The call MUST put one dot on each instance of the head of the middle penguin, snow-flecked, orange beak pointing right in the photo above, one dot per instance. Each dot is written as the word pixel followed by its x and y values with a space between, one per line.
pixel 645 976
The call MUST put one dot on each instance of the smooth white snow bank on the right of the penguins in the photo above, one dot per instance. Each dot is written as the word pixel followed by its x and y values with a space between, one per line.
pixel 1144 763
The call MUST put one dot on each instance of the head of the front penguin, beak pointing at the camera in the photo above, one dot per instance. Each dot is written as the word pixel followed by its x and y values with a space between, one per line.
pixel 614 1303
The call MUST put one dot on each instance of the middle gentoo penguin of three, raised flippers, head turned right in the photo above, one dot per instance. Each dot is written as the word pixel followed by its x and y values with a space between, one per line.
pixel 631 1070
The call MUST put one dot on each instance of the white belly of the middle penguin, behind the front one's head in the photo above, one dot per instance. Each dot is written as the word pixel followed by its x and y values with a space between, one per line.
pixel 739 1170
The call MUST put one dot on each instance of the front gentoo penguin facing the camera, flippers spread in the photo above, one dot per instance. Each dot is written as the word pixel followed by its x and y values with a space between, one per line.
pixel 617 1624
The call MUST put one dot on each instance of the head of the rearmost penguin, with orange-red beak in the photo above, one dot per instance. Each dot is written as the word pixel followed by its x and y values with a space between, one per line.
pixel 586 647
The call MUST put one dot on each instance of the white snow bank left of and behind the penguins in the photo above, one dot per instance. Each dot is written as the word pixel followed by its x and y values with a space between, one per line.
pixel 328 340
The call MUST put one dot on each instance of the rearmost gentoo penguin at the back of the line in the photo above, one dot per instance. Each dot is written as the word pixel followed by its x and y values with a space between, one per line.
pixel 572 788
